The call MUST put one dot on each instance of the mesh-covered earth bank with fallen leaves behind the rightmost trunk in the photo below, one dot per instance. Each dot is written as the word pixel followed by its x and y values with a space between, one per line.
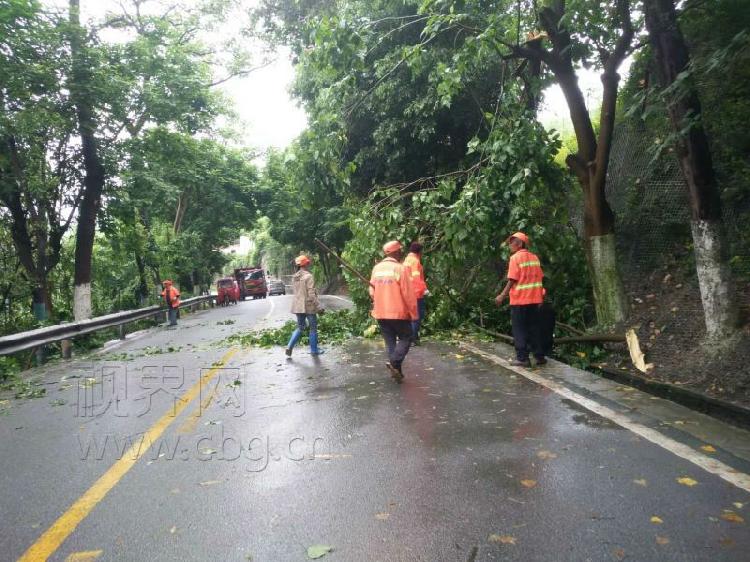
pixel 650 202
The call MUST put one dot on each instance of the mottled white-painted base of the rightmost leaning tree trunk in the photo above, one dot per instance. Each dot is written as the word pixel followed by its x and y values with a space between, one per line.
pixel 714 279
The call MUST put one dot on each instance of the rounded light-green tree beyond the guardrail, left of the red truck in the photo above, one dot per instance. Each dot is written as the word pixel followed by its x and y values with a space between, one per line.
pixel 183 199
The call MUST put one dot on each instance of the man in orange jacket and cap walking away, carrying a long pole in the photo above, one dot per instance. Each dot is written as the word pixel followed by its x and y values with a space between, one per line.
pixel 394 305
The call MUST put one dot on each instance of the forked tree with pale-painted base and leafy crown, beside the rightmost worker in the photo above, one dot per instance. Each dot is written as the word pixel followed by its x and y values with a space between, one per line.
pixel 555 39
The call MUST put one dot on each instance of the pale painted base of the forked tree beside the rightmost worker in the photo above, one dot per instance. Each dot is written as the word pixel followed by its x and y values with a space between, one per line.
pixel 609 295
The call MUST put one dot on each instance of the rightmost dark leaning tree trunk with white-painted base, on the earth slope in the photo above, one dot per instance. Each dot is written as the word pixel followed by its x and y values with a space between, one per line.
pixel 694 156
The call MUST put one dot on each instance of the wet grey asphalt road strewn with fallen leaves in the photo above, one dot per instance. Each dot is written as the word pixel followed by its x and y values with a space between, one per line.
pixel 463 461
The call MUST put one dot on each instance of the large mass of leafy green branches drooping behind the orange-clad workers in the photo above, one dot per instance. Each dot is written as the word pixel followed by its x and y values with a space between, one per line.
pixel 437 143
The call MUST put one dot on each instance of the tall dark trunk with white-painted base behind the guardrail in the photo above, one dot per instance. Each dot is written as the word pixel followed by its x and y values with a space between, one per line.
pixel 93 184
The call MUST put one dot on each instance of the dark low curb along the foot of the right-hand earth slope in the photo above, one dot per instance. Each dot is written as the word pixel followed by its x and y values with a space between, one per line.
pixel 715 407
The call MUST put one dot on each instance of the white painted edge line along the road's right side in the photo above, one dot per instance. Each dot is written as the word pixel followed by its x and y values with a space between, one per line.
pixel 739 479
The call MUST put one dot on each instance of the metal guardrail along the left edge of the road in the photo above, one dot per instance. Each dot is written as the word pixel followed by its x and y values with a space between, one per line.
pixel 43 336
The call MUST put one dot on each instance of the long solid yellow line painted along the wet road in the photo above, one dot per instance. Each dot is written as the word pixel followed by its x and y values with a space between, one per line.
pixel 61 529
